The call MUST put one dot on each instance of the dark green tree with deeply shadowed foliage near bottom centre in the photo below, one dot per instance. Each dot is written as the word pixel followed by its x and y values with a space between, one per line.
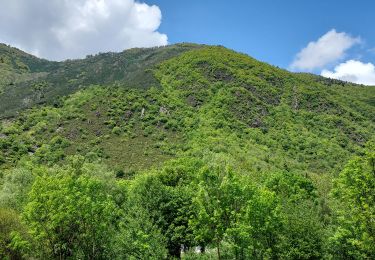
pixel 167 197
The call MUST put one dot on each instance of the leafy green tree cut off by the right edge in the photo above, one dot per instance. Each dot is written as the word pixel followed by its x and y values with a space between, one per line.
pixel 355 189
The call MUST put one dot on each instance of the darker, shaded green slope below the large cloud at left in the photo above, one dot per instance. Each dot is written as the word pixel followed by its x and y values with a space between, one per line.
pixel 27 80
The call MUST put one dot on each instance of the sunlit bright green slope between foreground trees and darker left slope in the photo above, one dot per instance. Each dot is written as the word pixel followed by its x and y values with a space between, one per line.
pixel 206 100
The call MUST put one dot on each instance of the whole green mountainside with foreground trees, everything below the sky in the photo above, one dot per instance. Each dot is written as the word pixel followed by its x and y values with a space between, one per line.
pixel 184 151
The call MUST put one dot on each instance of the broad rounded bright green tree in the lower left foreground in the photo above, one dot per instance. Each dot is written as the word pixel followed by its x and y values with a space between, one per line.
pixel 70 215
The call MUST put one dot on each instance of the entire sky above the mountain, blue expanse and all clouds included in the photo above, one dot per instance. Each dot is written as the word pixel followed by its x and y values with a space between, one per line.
pixel 333 38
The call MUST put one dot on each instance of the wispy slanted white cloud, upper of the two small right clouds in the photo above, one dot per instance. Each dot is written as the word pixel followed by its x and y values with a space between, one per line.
pixel 327 49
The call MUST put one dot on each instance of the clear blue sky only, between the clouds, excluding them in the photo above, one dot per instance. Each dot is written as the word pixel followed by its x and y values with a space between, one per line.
pixel 272 31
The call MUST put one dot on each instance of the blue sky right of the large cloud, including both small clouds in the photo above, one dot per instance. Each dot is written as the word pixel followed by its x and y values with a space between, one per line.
pixel 276 31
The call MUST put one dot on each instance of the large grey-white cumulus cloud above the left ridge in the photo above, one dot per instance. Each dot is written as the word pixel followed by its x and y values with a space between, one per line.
pixel 61 29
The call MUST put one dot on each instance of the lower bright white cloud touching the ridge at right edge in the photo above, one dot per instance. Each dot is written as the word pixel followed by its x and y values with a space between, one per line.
pixel 353 71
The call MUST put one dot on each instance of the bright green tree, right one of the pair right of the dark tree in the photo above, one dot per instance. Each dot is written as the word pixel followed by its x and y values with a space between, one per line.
pixel 257 231
